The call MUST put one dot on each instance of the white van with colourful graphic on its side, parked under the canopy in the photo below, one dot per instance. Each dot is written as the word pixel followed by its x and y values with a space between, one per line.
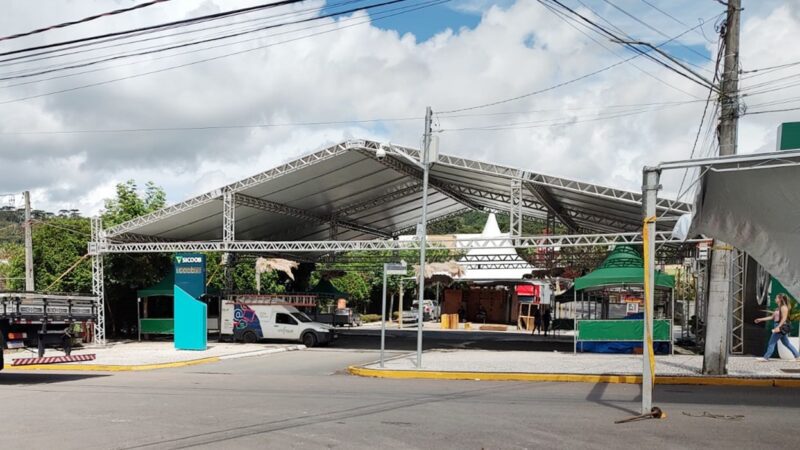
pixel 252 321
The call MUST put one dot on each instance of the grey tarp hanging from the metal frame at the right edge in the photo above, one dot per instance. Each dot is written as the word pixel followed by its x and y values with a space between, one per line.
pixel 757 211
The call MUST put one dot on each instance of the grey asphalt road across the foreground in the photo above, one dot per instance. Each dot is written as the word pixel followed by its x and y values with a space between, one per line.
pixel 305 399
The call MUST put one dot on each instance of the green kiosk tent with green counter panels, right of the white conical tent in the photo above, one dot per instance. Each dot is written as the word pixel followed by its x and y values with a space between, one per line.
pixel 620 274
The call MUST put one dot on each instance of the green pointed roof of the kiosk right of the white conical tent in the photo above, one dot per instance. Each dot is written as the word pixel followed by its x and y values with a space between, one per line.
pixel 623 266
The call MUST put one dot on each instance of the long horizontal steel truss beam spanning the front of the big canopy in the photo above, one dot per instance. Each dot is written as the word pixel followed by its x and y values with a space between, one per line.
pixel 584 240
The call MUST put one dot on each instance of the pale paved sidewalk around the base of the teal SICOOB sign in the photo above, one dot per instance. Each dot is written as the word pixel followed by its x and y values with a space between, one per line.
pixel 132 353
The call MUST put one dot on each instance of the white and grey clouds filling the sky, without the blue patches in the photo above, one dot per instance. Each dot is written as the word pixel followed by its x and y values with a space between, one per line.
pixel 360 73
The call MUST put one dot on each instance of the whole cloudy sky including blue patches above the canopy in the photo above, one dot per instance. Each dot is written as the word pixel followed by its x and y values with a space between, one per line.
pixel 69 135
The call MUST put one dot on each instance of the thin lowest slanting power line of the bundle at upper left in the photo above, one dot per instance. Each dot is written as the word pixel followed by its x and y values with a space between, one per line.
pixel 214 58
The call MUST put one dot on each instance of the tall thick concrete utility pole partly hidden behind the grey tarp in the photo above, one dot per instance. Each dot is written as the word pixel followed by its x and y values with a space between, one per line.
pixel 717 346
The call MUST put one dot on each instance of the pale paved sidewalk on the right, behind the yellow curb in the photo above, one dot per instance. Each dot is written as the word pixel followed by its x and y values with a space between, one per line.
pixel 581 364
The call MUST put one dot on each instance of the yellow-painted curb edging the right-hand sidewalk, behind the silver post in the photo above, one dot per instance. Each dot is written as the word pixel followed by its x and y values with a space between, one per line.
pixel 572 378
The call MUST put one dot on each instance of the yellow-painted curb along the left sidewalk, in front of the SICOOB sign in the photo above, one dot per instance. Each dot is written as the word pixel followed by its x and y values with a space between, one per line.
pixel 146 367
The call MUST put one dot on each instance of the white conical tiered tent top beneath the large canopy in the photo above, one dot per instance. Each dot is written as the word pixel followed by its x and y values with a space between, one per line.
pixel 492 255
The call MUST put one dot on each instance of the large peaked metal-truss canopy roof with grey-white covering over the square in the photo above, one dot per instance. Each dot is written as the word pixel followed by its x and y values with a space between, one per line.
pixel 348 192
